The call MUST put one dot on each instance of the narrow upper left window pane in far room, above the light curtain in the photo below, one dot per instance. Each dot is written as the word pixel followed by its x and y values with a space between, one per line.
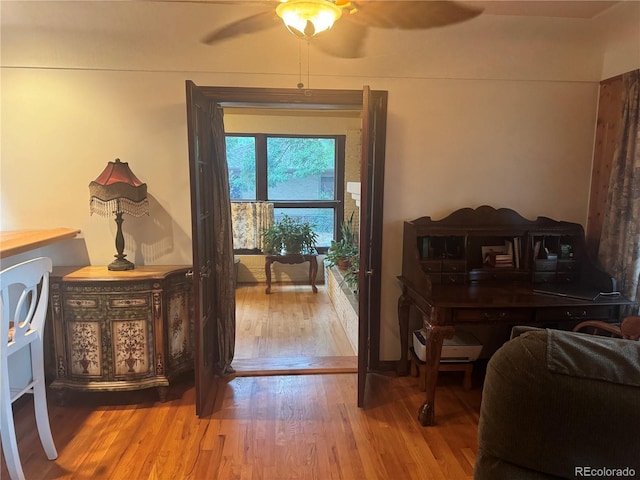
pixel 241 159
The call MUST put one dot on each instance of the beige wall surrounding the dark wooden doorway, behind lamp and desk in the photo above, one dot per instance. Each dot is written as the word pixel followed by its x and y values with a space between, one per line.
pixel 500 111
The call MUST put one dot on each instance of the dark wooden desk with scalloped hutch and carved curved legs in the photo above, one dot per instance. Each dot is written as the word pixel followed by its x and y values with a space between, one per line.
pixel 489 266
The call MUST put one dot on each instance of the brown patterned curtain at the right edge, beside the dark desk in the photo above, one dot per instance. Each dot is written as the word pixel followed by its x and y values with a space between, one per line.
pixel 619 252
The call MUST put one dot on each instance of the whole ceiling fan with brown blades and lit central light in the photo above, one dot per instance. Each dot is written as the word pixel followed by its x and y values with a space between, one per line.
pixel 349 21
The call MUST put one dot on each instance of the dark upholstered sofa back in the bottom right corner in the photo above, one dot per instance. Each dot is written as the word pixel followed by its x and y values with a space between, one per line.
pixel 560 404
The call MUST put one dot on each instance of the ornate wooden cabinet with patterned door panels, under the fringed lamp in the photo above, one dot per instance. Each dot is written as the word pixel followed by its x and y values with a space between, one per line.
pixel 123 330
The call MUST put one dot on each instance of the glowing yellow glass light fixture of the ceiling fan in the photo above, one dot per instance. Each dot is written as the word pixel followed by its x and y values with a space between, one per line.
pixel 307 18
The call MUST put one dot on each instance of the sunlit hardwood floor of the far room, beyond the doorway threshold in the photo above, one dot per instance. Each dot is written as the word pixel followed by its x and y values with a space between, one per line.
pixel 291 330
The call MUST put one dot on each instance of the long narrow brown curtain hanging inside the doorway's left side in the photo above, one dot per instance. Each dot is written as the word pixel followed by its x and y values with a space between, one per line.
pixel 225 297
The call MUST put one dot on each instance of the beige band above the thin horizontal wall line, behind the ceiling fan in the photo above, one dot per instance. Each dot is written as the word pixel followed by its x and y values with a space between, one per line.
pixel 166 35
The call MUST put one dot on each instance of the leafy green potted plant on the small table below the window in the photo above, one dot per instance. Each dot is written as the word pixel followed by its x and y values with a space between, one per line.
pixel 290 236
